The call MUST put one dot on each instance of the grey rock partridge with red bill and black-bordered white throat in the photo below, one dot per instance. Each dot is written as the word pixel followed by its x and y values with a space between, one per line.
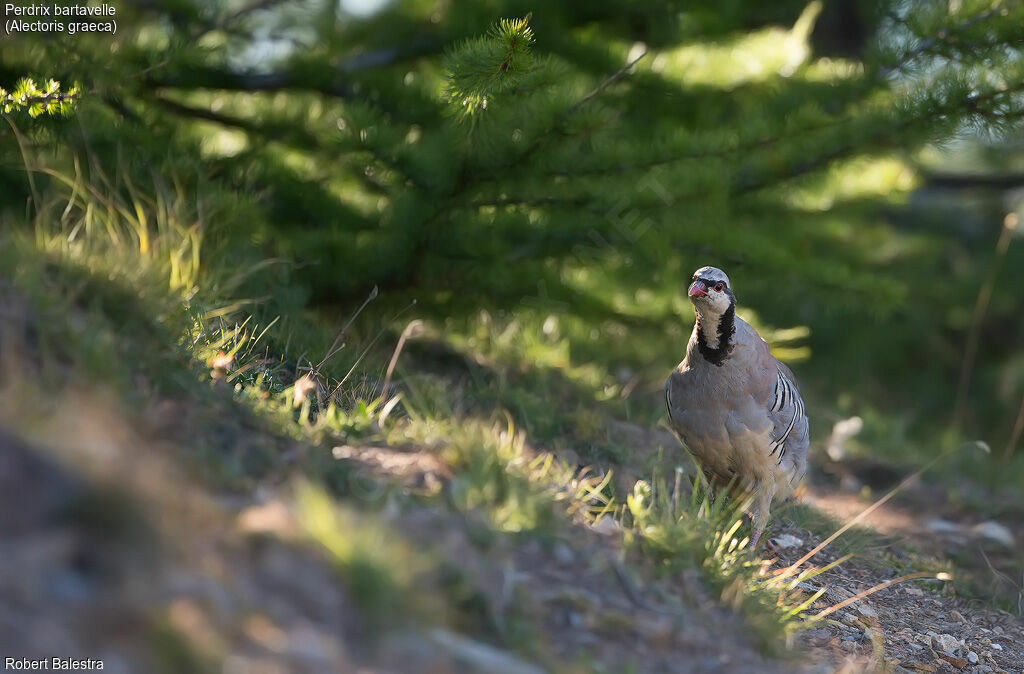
pixel 736 408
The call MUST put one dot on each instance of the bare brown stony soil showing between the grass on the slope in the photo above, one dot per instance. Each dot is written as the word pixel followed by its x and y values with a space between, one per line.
pixel 113 551
